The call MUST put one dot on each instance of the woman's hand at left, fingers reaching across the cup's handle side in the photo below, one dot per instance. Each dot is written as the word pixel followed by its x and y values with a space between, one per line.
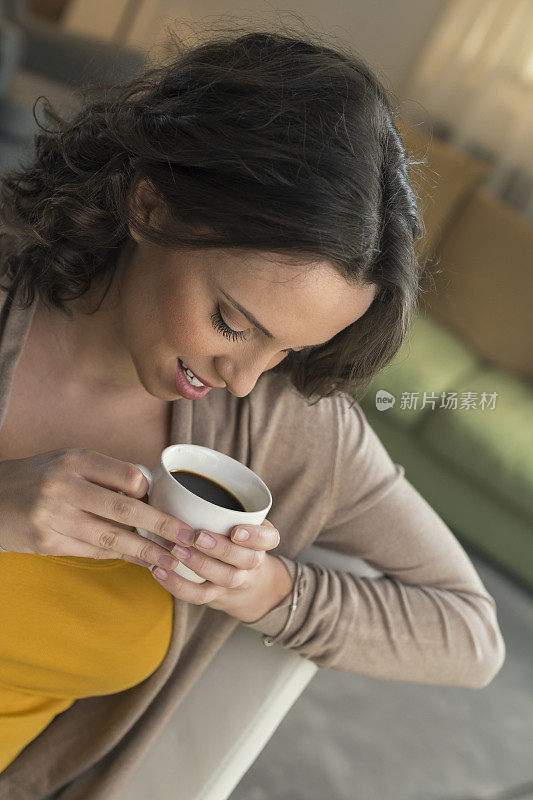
pixel 77 502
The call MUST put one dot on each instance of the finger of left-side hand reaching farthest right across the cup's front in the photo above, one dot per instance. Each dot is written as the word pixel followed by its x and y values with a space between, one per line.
pixel 111 505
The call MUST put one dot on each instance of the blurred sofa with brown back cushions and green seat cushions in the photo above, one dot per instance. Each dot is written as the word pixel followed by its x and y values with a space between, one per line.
pixel 474 334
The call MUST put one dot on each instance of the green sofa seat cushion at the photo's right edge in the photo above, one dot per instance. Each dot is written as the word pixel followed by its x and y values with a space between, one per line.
pixel 493 447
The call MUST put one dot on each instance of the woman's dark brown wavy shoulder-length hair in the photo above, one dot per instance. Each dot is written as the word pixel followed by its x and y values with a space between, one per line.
pixel 258 140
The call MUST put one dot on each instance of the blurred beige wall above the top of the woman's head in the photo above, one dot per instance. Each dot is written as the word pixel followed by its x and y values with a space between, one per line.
pixel 389 34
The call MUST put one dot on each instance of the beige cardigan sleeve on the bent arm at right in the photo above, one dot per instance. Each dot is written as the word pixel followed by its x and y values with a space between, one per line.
pixel 428 619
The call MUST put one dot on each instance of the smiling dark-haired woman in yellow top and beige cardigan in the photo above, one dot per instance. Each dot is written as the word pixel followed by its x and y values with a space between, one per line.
pixel 244 210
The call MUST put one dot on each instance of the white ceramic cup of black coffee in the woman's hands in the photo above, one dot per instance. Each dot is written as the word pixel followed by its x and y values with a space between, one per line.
pixel 167 494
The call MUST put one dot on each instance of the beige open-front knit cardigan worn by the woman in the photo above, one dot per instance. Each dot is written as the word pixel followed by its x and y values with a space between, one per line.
pixel 428 620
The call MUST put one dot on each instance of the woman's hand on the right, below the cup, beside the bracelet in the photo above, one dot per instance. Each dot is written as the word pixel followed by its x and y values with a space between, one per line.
pixel 235 572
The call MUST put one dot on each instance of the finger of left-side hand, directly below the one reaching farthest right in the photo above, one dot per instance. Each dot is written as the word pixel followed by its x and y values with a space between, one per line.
pixel 108 539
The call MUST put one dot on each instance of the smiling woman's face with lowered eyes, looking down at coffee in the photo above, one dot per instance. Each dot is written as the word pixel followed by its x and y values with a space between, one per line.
pixel 177 304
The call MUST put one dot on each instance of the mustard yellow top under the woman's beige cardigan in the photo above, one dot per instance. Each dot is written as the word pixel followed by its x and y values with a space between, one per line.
pixel 72 628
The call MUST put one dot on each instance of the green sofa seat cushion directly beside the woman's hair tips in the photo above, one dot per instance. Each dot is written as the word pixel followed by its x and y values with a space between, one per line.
pixel 431 360
